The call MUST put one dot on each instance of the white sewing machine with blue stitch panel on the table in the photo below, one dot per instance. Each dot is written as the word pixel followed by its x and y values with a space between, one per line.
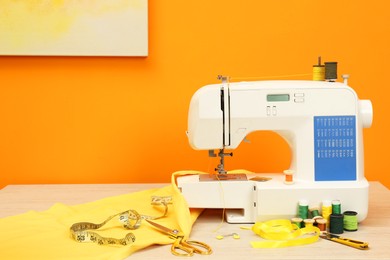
pixel 321 121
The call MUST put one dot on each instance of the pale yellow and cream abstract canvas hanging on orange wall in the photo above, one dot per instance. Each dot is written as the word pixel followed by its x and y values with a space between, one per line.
pixel 74 27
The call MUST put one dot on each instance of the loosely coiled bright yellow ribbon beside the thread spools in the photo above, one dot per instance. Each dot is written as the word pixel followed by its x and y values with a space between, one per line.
pixel 282 233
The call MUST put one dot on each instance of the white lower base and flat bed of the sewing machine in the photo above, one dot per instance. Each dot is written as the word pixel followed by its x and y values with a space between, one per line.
pixel 251 201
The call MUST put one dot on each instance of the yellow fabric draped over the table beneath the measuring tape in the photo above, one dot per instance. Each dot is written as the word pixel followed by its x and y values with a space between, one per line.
pixel 46 235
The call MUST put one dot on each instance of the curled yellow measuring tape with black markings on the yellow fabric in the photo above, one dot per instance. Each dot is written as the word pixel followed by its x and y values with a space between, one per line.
pixel 130 220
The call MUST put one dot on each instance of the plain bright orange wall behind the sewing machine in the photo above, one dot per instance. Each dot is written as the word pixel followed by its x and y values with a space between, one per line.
pixel 110 120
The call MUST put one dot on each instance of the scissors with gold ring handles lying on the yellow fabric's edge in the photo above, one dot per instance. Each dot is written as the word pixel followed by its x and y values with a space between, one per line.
pixel 180 246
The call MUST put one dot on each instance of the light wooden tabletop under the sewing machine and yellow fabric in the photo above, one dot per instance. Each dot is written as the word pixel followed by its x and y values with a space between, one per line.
pixel 16 199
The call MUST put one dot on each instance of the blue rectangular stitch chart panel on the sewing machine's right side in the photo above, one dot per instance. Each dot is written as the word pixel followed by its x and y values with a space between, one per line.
pixel 335 148
